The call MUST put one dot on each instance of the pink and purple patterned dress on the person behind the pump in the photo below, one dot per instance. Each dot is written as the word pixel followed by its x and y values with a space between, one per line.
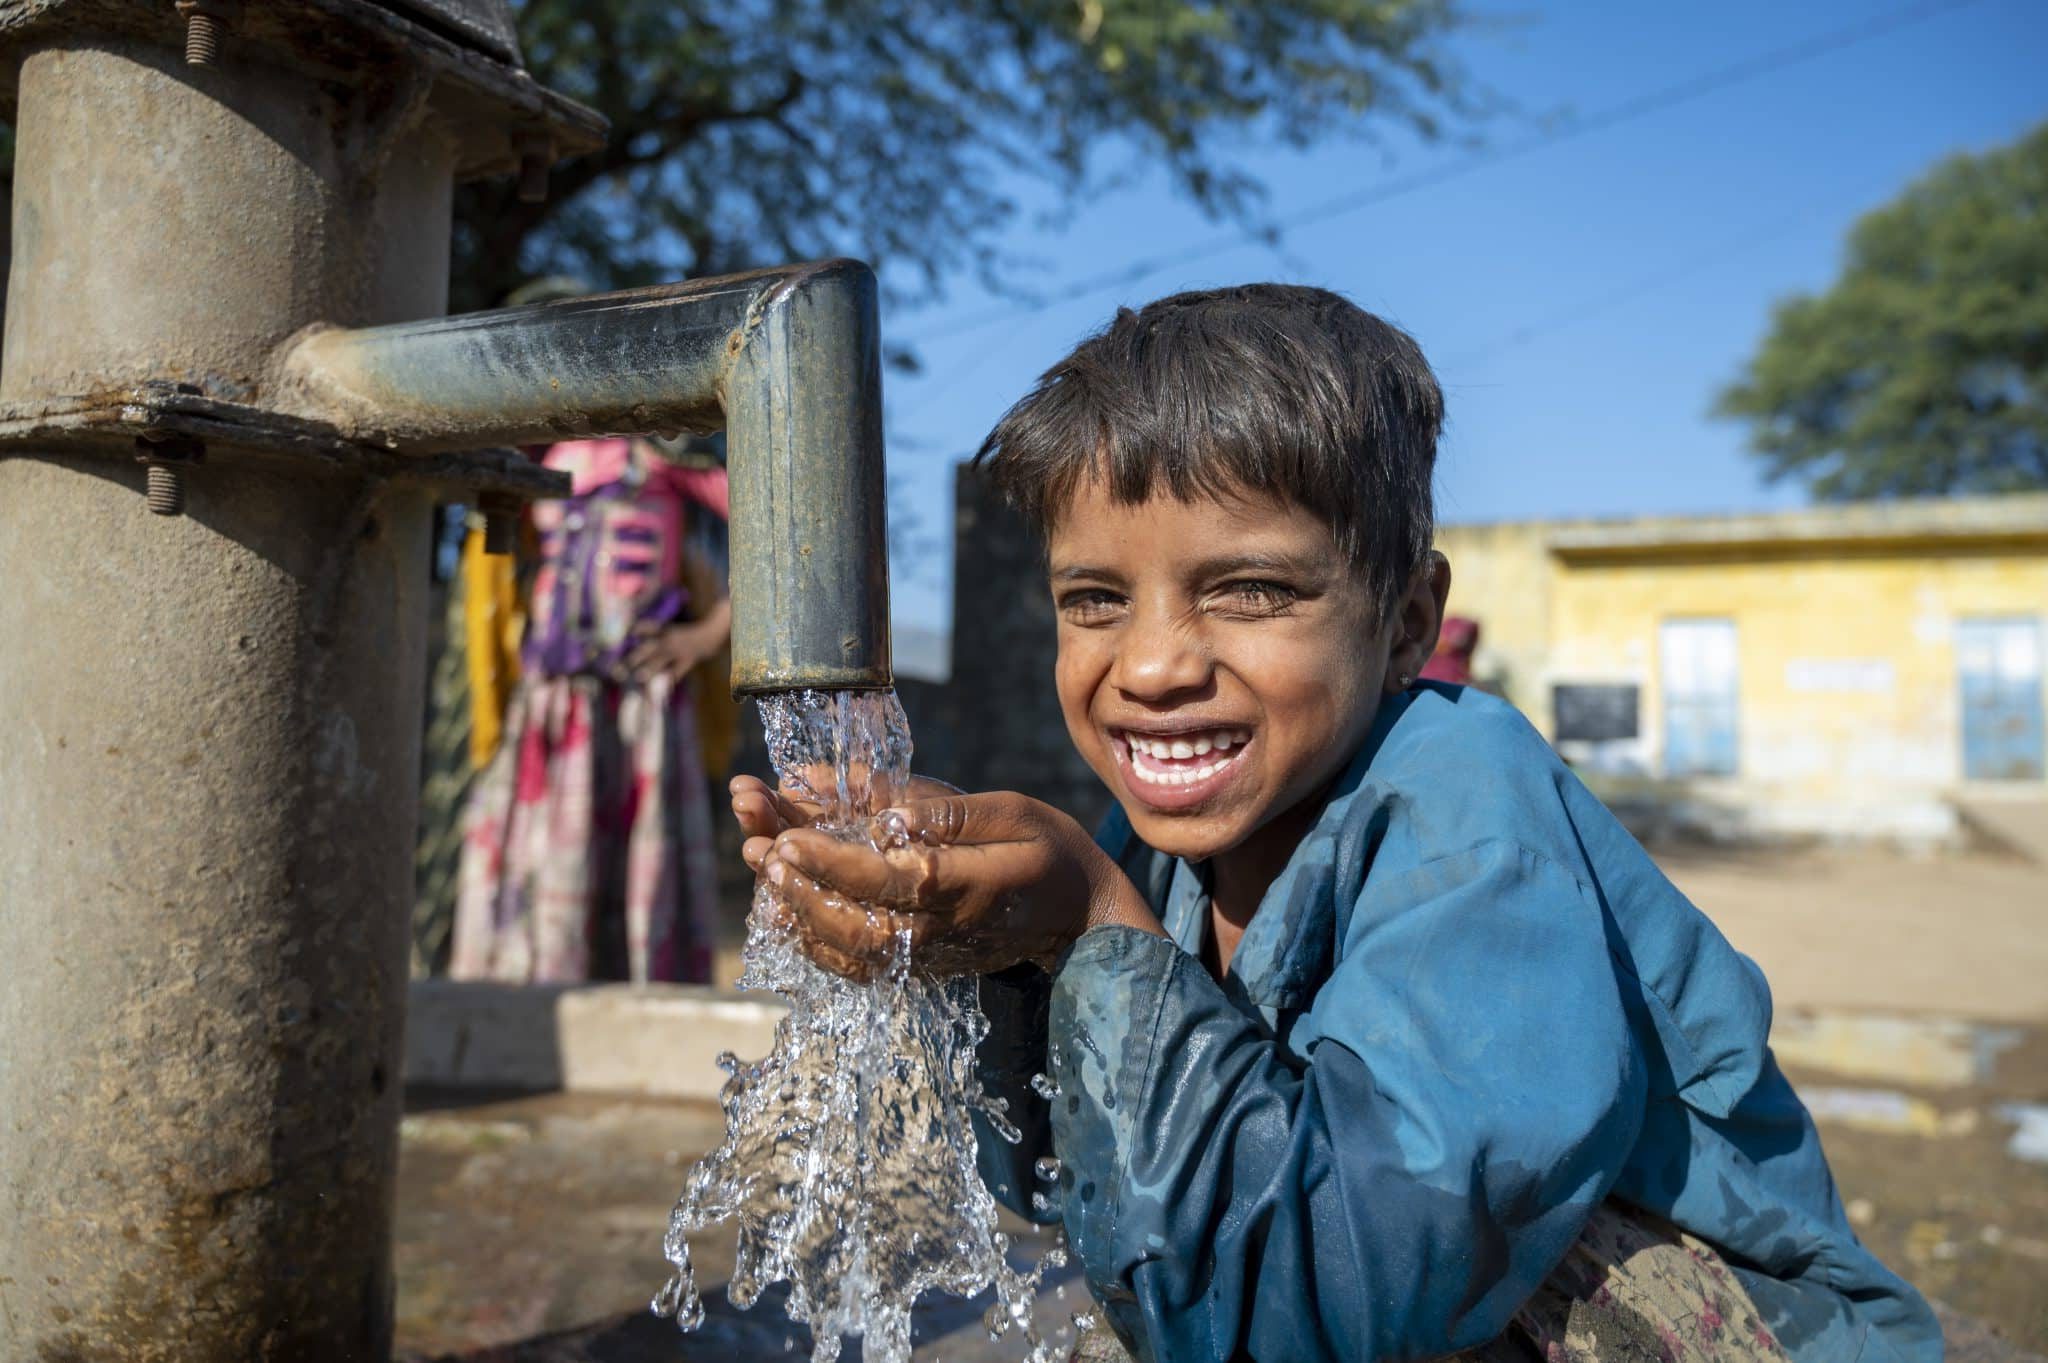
pixel 587 848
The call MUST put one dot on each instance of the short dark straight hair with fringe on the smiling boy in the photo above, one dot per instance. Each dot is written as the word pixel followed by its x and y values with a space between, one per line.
pixel 1269 388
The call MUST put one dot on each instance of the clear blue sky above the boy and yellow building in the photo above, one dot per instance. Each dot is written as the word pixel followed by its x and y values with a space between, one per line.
pixel 1582 302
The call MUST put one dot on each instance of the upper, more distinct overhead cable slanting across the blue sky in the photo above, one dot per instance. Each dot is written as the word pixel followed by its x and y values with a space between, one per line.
pixel 1615 116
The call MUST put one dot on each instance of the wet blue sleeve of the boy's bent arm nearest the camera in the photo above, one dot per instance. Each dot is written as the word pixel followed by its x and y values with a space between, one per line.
pixel 1467 1092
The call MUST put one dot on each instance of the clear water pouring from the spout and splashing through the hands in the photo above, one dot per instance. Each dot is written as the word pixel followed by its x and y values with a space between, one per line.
pixel 849 1159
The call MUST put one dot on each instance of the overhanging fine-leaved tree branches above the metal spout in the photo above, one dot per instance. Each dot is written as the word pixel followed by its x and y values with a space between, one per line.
pixel 755 132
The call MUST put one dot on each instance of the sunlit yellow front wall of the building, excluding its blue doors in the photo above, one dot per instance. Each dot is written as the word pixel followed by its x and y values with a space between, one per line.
pixel 1848 685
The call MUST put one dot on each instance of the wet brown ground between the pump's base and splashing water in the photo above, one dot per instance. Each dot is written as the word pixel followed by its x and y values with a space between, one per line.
pixel 536 1217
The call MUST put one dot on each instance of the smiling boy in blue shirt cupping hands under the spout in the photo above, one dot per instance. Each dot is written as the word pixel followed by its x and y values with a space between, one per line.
pixel 1375 1035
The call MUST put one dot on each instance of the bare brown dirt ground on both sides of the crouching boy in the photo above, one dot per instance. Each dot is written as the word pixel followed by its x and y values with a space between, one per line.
pixel 538 1215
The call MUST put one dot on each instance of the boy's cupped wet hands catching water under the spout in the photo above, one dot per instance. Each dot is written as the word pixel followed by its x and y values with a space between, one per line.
pixel 980 881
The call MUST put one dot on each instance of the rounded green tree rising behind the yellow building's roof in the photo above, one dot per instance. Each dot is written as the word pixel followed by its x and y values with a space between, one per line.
pixel 1924 369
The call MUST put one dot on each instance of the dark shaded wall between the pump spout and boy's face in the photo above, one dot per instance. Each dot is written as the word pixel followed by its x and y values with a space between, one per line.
pixel 996 723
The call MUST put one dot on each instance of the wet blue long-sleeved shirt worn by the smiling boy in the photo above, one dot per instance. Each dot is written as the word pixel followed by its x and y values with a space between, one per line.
pixel 1467 1012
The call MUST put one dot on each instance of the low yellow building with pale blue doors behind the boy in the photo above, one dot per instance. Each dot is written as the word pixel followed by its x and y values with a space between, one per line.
pixel 1857 670
